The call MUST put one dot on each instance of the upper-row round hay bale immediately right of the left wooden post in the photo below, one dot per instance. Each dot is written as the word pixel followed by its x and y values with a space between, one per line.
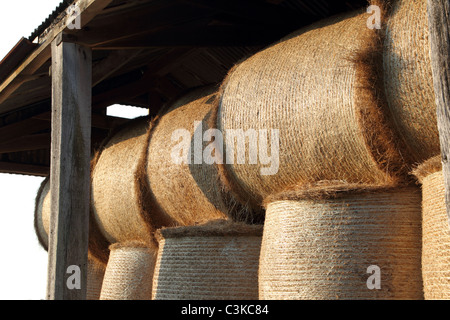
pixel 114 192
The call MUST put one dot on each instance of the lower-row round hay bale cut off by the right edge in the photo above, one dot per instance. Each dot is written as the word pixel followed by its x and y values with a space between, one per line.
pixel 436 231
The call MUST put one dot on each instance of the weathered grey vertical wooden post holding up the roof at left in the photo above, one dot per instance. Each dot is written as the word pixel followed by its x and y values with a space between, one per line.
pixel 69 171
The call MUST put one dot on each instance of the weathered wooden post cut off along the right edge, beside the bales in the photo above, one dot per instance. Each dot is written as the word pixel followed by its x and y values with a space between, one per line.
pixel 439 25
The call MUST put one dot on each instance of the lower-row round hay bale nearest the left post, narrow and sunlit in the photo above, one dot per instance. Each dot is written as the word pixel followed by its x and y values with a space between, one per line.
pixel 129 273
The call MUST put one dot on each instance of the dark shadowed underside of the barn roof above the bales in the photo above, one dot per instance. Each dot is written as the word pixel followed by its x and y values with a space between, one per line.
pixel 145 53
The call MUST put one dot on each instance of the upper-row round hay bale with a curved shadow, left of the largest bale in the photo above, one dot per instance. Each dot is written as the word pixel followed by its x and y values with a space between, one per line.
pixel 178 189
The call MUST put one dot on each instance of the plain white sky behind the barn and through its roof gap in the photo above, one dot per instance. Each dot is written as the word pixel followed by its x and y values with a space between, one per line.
pixel 23 263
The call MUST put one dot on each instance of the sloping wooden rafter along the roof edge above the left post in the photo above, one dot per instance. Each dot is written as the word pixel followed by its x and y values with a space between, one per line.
pixel 88 8
